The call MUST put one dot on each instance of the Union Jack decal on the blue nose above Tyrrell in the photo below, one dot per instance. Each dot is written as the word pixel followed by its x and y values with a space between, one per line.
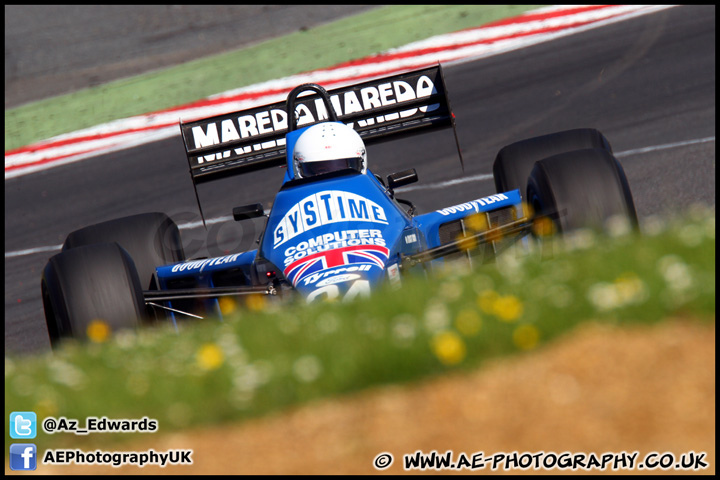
pixel 372 254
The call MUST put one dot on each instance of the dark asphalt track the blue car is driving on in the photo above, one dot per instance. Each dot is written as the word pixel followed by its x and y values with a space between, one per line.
pixel 647 83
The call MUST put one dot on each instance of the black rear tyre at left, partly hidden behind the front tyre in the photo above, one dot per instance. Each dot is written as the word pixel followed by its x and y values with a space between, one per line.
pixel 151 239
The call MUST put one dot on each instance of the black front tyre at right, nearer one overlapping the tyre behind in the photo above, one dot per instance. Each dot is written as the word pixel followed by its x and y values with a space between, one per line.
pixel 586 188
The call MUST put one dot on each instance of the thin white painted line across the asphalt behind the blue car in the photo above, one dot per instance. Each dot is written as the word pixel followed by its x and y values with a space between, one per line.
pixel 429 186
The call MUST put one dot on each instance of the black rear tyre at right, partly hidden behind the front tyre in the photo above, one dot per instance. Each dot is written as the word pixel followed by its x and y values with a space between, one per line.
pixel 514 162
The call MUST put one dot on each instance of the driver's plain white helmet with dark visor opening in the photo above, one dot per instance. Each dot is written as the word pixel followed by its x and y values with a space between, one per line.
pixel 328 147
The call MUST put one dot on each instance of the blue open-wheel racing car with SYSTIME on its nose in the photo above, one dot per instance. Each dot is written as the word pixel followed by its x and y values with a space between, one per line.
pixel 335 229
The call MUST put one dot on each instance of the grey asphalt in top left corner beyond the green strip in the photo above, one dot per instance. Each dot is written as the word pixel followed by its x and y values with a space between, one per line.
pixel 56 49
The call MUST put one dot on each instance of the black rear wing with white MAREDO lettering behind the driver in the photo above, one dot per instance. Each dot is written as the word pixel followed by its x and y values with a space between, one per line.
pixel 252 139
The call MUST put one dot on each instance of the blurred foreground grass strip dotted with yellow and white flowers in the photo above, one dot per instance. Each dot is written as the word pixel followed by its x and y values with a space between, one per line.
pixel 270 356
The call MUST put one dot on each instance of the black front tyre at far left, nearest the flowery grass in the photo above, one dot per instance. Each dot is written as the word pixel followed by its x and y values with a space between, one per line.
pixel 91 283
